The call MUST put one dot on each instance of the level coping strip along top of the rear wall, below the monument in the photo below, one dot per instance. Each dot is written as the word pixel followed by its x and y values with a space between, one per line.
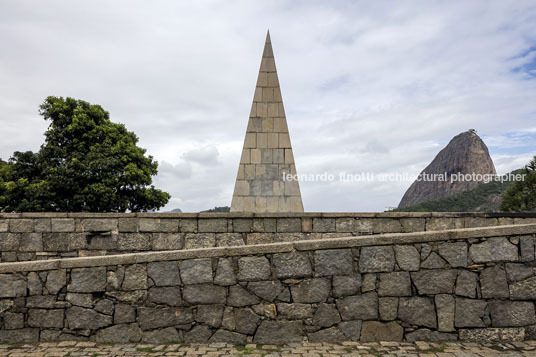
pixel 270 215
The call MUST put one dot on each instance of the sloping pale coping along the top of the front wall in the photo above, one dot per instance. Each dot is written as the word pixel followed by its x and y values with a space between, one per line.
pixel 349 242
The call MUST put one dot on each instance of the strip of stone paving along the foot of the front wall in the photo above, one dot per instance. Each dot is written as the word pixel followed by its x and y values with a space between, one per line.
pixel 420 349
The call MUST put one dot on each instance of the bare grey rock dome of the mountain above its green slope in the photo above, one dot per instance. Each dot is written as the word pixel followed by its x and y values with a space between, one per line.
pixel 466 153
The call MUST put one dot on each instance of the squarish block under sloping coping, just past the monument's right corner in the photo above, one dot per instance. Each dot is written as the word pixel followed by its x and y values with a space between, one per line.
pixel 333 262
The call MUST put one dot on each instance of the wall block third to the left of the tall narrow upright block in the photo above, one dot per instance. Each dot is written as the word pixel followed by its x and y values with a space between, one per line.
pixel 359 307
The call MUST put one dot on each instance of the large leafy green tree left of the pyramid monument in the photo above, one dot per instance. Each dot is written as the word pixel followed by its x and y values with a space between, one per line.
pixel 87 164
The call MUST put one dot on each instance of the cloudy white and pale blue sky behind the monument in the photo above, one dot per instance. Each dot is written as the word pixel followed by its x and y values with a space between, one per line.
pixel 377 86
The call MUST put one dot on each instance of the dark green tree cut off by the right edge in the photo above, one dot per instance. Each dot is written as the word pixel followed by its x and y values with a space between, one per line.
pixel 521 196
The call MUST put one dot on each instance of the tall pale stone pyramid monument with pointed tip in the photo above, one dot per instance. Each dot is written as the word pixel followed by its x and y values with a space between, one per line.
pixel 267 154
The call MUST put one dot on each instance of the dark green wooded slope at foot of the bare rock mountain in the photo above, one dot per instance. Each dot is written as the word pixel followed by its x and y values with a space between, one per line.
pixel 484 198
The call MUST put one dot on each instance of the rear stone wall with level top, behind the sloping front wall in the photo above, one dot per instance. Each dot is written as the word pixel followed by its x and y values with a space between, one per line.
pixel 54 235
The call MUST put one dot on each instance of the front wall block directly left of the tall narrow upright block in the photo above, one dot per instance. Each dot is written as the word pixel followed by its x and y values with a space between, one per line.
pixel 418 311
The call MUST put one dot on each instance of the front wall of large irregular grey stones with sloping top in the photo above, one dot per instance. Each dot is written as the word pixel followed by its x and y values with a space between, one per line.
pixel 471 284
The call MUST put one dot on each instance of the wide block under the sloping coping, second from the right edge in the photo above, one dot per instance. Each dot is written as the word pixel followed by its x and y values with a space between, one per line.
pixel 493 250
